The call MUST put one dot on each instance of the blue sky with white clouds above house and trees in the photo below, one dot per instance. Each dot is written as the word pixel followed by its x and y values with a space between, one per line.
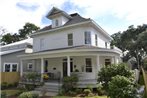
pixel 111 15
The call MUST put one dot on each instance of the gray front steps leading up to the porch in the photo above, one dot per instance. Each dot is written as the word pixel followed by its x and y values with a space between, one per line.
pixel 50 88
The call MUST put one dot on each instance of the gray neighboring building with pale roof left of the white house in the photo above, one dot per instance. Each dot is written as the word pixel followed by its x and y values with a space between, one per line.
pixel 9 60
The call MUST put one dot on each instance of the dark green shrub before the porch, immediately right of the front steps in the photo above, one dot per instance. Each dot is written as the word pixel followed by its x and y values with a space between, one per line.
pixel 69 83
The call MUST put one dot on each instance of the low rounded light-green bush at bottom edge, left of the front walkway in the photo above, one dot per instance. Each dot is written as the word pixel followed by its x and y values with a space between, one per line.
pixel 28 95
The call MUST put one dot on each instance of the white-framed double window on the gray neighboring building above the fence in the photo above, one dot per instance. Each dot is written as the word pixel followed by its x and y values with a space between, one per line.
pixel 10 67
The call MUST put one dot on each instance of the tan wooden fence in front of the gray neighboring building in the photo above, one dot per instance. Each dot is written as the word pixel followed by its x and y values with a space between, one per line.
pixel 10 77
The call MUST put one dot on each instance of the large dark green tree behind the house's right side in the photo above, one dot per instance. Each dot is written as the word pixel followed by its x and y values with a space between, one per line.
pixel 133 41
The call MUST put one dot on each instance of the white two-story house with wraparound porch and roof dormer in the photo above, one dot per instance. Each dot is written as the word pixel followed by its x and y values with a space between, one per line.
pixel 71 44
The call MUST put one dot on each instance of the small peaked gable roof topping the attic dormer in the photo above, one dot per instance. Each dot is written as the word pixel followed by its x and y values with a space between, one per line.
pixel 55 11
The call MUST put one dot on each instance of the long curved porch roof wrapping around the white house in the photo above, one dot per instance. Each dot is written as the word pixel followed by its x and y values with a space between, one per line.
pixel 73 49
